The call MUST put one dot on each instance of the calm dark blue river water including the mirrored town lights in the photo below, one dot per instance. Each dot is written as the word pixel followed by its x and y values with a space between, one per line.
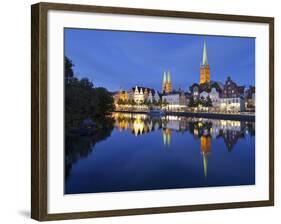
pixel 139 152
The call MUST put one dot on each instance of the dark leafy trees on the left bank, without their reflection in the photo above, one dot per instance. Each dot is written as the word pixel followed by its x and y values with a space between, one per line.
pixel 83 100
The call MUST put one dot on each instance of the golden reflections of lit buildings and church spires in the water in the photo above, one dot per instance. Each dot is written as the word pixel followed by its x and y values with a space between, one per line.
pixel 202 129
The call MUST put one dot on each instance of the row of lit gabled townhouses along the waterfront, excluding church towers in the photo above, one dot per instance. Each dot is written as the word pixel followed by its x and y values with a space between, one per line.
pixel 227 97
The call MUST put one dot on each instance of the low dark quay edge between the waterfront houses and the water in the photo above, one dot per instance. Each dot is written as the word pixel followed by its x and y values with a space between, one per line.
pixel 221 116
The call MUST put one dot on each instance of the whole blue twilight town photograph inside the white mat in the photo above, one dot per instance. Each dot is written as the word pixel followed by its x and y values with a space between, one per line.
pixel 155 111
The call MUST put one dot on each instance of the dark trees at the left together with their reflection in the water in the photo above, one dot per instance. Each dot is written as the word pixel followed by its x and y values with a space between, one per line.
pixel 86 116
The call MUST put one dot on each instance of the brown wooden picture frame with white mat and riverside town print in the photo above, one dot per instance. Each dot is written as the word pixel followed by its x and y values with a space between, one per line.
pixel 140 111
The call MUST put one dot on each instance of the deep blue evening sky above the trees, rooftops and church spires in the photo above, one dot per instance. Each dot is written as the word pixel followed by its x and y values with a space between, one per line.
pixel 115 59
